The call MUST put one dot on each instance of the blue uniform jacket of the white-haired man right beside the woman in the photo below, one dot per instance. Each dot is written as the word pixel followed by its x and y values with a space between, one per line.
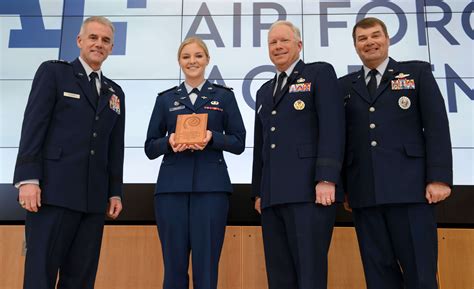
pixel 299 136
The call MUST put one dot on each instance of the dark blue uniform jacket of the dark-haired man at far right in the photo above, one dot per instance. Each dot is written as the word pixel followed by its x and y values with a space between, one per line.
pixel 397 142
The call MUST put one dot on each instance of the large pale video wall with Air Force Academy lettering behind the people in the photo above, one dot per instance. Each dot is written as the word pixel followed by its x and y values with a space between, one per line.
pixel 150 31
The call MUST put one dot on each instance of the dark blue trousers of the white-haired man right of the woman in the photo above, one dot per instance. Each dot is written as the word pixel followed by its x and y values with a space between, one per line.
pixel 296 240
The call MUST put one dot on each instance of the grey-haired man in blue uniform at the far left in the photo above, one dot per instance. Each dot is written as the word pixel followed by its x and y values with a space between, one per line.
pixel 70 162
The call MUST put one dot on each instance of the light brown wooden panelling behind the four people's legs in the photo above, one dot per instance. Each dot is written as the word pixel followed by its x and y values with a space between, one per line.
pixel 131 258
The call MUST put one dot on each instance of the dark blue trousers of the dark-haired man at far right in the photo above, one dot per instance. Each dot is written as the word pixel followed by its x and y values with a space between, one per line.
pixel 398 245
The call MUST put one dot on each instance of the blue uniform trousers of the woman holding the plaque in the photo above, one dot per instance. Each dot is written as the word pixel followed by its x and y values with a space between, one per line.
pixel 191 223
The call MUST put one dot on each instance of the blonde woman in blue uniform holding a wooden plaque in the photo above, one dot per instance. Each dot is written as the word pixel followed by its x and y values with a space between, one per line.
pixel 193 186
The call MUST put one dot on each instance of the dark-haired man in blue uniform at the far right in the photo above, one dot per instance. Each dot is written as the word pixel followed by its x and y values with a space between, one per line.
pixel 398 162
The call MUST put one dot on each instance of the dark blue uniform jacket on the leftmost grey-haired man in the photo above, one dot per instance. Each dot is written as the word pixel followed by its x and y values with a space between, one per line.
pixel 72 145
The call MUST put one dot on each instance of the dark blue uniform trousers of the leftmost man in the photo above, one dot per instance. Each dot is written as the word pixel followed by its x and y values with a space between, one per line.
pixel 62 239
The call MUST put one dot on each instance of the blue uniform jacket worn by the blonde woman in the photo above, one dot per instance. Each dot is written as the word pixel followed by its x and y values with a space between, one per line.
pixel 195 171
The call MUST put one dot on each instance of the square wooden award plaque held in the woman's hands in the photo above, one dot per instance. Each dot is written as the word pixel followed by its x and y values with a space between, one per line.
pixel 191 128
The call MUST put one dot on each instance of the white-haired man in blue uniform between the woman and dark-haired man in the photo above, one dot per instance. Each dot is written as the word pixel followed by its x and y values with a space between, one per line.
pixel 298 154
